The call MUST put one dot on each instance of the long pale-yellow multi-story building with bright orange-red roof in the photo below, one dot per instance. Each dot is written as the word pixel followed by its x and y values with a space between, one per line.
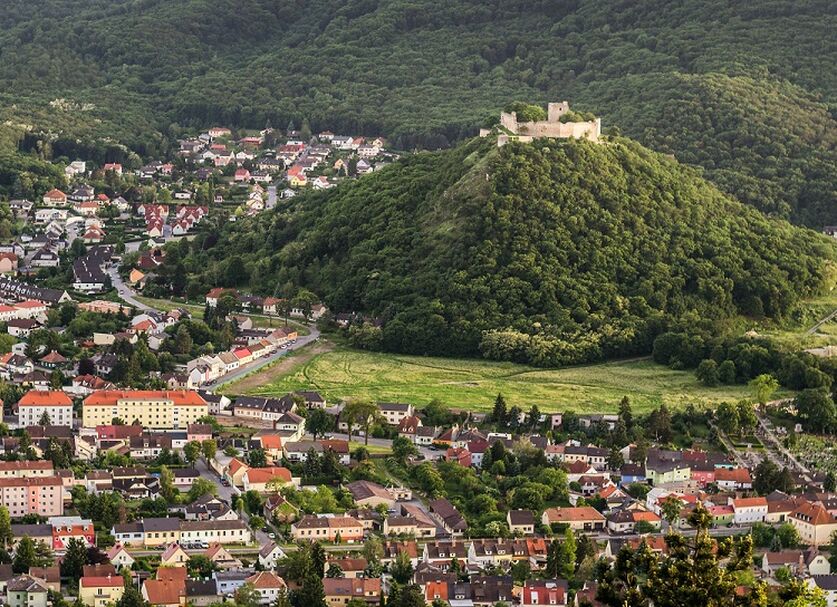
pixel 155 409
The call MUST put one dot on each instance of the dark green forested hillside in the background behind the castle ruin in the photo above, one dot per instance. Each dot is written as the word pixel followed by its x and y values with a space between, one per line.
pixel 745 90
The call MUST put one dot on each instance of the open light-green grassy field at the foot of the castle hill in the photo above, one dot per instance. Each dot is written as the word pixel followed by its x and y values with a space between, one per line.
pixel 473 384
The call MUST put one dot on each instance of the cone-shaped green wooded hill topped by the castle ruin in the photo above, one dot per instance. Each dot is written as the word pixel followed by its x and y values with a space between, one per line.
pixel 562 251
